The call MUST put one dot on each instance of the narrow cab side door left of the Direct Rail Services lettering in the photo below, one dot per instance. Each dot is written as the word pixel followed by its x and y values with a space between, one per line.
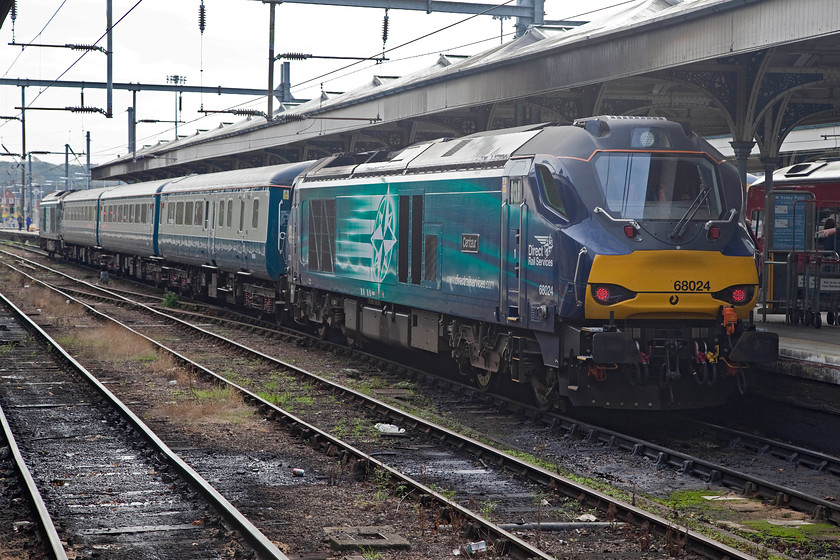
pixel 513 215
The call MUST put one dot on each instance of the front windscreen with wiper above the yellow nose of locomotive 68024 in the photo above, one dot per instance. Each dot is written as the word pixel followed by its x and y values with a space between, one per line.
pixel 659 187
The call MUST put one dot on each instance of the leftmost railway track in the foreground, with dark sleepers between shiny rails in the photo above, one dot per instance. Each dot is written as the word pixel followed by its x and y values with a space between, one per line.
pixel 101 482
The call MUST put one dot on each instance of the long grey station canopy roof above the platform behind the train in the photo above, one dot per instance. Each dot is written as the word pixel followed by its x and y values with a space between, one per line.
pixel 752 70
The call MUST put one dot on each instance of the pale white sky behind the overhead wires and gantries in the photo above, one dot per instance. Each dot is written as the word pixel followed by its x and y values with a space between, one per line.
pixel 161 38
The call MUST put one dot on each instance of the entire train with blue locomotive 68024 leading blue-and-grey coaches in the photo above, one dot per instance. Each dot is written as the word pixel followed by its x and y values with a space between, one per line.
pixel 604 263
